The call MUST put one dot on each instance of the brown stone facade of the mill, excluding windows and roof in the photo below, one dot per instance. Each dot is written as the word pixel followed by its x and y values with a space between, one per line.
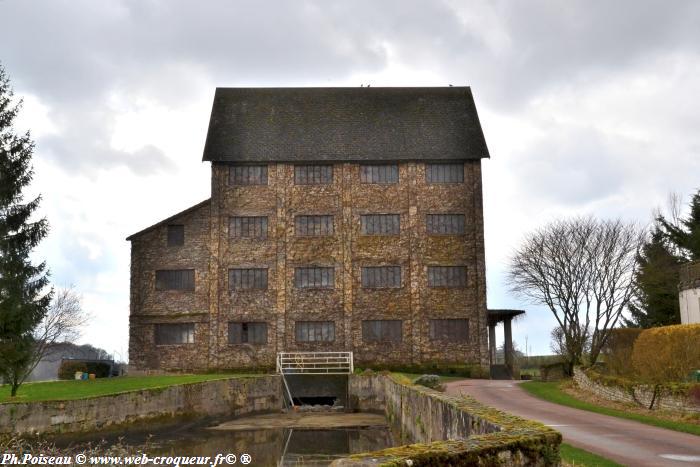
pixel 347 304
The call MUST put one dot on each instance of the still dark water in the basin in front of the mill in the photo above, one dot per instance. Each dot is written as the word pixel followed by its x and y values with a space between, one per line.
pixel 276 447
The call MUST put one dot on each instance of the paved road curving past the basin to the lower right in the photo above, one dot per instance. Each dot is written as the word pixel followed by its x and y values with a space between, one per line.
pixel 624 441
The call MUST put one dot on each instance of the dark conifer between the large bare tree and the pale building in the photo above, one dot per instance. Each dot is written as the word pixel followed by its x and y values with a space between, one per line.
pixel 655 301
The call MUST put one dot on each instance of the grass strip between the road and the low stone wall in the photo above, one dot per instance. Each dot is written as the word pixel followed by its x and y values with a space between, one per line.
pixel 551 392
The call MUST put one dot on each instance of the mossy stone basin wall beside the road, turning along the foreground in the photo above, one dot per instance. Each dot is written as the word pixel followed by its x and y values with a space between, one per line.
pixel 443 429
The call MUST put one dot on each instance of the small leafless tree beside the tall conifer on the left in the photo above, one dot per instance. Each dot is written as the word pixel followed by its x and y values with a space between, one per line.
pixel 63 322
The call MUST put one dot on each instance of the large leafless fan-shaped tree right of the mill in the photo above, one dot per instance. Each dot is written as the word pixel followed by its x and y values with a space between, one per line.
pixel 582 270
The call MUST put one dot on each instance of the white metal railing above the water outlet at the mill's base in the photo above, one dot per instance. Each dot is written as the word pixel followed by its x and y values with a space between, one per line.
pixel 315 363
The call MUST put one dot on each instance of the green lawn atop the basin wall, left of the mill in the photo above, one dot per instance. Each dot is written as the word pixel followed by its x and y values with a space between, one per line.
pixel 68 390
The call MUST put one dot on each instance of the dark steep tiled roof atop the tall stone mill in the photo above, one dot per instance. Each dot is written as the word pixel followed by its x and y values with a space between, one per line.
pixel 348 124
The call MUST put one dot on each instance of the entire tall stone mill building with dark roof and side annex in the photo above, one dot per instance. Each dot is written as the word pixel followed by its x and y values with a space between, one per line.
pixel 339 219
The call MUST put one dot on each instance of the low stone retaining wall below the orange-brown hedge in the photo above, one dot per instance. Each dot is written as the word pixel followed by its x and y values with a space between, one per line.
pixel 639 394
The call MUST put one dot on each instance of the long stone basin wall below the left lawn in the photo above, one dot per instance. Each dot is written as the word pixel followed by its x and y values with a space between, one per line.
pixel 225 397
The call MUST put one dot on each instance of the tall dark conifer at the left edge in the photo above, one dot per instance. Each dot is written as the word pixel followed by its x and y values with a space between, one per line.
pixel 23 297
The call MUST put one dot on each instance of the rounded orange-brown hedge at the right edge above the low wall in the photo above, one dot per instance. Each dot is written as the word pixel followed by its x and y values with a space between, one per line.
pixel 667 353
